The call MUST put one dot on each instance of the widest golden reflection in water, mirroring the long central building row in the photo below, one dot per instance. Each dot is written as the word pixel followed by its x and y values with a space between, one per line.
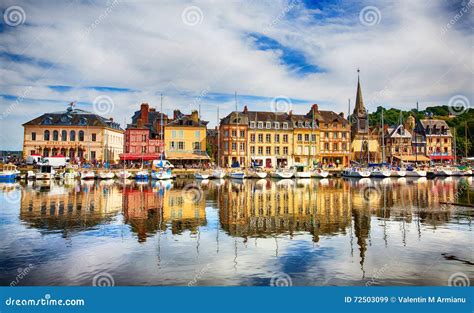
pixel 259 209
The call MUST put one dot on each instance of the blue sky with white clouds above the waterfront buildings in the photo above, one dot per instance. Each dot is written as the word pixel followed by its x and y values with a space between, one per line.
pixel 110 56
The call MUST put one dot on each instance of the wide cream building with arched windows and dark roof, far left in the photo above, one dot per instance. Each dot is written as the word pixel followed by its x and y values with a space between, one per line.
pixel 73 133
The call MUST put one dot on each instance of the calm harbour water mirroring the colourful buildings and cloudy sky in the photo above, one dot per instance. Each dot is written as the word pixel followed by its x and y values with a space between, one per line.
pixel 343 221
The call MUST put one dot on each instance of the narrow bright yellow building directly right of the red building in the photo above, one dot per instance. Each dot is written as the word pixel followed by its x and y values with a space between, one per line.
pixel 185 139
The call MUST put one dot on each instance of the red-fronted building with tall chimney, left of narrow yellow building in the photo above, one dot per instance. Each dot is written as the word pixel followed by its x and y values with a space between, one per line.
pixel 143 139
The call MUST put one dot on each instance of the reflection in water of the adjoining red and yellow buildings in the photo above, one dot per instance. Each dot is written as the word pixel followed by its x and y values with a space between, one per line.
pixel 146 208
